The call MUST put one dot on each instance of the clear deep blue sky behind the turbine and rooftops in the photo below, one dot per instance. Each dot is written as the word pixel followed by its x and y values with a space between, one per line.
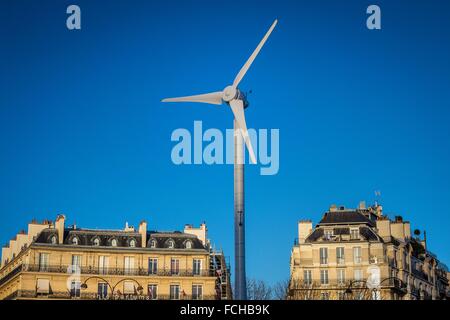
pixel 82 131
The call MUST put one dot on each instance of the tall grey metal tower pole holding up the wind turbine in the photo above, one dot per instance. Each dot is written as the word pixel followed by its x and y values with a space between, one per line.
pixel 239 222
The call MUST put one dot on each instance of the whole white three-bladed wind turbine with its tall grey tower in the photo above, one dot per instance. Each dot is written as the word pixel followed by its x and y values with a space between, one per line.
pixel 237 101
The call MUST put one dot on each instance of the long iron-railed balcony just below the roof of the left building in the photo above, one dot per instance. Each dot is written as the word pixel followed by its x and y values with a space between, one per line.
pixel 162 272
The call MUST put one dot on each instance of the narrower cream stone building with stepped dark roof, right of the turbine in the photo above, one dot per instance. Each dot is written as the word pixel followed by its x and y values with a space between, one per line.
pixel 362 254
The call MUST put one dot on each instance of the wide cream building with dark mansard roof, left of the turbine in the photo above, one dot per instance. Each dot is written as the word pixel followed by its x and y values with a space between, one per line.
pixel 52 260
